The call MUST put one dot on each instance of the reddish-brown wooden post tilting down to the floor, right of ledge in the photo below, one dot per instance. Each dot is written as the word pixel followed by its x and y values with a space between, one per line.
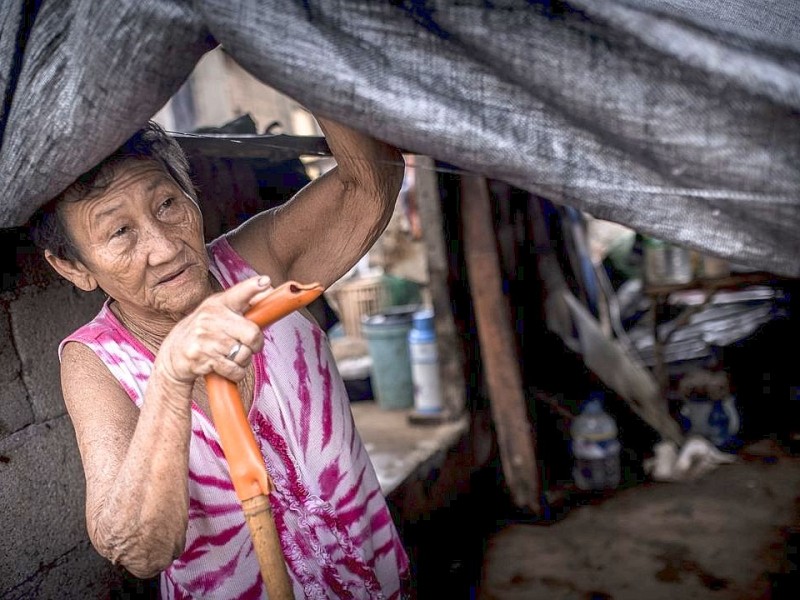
pixel 516 438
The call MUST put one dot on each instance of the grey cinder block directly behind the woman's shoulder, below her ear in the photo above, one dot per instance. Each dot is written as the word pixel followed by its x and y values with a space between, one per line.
pixel 41 317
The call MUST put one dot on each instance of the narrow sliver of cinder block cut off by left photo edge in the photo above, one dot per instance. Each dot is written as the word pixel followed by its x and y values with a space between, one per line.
pixel 15 409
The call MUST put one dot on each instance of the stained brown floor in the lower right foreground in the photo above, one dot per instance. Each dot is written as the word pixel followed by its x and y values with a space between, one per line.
pixel 731 535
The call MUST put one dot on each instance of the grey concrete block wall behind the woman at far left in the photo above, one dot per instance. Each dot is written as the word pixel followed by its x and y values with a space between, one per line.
pixel 45 551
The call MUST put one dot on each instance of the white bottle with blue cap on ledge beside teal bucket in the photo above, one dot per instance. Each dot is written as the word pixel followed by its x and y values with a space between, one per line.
pixel 424 363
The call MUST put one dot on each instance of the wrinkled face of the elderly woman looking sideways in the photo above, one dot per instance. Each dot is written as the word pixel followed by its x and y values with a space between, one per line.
pixel 141 241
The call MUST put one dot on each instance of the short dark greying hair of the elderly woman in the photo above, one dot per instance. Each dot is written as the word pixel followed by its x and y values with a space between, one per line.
pixel 151 142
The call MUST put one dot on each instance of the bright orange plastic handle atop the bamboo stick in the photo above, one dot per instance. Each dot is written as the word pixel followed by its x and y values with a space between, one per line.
pixel 248 472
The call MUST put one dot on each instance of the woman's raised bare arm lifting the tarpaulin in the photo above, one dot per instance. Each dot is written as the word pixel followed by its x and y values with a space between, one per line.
pixel 332 222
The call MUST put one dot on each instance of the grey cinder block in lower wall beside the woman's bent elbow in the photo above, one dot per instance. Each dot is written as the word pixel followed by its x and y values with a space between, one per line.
pixel 42 495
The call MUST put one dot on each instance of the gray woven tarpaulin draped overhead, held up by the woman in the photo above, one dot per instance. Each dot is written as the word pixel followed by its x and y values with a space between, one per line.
pixel 676 117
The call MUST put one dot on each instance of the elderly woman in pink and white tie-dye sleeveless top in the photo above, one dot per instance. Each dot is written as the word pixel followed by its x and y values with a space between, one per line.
pixel 159 498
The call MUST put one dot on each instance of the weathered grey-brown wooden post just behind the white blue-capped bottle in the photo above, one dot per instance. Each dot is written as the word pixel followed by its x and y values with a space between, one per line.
pixel 448 345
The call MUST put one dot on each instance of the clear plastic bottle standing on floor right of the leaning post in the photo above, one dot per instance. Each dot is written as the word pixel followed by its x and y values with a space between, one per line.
pixel 595 447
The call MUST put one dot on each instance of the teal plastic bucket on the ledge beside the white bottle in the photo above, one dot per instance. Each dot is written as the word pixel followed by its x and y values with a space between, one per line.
pixel 387 342
